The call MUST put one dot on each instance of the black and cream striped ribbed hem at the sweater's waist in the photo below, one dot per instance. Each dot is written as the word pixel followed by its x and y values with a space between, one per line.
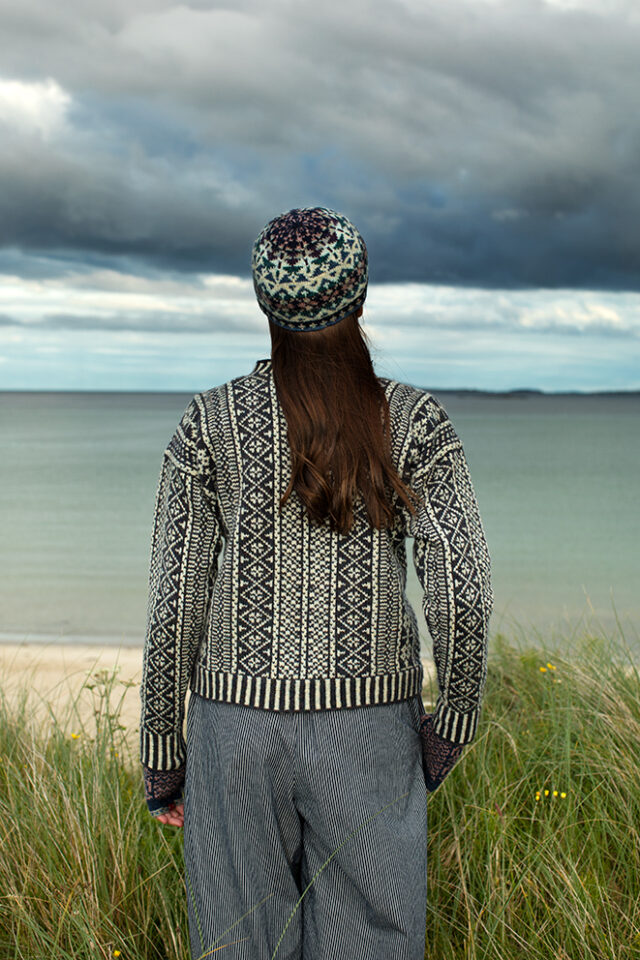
pixel 313 693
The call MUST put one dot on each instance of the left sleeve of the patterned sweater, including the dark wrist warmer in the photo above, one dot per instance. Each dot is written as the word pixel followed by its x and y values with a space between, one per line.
pixel 185 543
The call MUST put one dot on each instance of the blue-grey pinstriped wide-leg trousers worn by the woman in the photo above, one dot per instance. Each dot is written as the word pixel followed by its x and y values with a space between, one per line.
pixel 275 802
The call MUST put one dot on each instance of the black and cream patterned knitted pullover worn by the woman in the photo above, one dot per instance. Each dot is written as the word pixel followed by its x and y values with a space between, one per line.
pixel 252 605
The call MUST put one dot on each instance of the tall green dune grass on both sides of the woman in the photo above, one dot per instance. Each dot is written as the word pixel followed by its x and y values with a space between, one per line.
pixel 85 871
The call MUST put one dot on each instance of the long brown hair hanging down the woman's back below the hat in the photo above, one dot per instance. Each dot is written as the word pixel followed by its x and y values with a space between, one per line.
pixel 338 424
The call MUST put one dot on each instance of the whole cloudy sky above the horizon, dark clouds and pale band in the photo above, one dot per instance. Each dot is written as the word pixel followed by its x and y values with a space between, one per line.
pixel 488 151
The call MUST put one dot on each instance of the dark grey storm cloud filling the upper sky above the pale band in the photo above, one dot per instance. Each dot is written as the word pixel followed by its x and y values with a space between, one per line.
pixel 474 143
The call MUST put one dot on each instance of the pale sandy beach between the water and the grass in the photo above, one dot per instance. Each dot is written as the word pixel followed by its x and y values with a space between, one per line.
pixel 55 675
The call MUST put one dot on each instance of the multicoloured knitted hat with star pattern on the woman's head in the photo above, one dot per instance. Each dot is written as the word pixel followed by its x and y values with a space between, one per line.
pixel 309 268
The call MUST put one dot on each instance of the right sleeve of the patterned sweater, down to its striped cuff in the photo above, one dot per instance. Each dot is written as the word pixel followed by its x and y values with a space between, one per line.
pixel 453 565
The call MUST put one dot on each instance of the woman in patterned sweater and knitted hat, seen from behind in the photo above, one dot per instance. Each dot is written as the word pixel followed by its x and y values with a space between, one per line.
pixel 277 597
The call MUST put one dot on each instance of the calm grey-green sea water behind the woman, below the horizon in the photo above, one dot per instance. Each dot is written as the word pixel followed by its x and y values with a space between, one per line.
pixel 556 478
